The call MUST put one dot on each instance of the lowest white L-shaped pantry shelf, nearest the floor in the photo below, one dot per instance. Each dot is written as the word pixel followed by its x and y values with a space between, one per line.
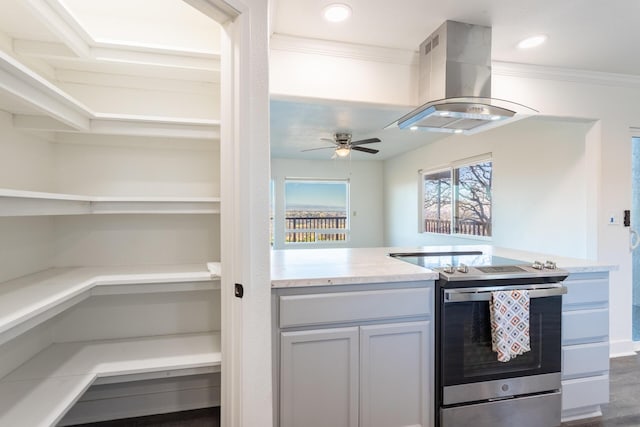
pixel 43 389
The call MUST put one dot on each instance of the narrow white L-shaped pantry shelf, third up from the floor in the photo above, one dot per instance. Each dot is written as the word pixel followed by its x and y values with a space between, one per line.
pixel 32 203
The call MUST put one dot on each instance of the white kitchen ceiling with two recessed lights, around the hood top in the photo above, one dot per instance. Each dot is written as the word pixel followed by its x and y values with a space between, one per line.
pixel 583 34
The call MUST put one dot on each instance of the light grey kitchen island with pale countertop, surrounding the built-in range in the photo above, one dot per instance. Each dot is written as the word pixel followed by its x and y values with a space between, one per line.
pixel 353 334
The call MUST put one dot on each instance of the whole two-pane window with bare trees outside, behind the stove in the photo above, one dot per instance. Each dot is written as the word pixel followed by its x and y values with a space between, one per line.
pixel 457 199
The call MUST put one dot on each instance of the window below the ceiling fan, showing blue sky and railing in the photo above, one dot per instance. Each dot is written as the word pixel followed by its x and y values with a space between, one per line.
pixel 316 211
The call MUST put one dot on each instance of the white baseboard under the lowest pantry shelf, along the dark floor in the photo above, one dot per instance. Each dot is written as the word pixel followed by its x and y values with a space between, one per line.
pixel 141 398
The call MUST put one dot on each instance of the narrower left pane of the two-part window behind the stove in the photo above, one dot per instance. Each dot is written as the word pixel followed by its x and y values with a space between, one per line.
pixel 437 202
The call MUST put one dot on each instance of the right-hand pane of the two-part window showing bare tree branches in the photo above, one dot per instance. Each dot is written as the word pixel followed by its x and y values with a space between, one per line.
pixel 473 199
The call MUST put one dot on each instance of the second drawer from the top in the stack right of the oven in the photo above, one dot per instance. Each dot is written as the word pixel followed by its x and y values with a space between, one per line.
pixel 585 325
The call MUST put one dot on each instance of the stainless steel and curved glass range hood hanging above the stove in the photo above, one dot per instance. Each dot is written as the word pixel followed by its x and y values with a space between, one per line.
pixel 454 82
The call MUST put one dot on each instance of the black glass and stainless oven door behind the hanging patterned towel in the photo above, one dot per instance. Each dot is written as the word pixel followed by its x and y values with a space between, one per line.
pixel 467 359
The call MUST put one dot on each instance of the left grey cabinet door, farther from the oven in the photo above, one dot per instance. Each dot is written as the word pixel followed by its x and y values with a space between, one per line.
pixel 319 378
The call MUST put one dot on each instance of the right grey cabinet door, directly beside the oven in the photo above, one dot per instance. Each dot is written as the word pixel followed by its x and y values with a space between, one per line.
pixel 395 375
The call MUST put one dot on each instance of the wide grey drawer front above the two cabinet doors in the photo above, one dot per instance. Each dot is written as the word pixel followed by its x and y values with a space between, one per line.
pixel 340 307
